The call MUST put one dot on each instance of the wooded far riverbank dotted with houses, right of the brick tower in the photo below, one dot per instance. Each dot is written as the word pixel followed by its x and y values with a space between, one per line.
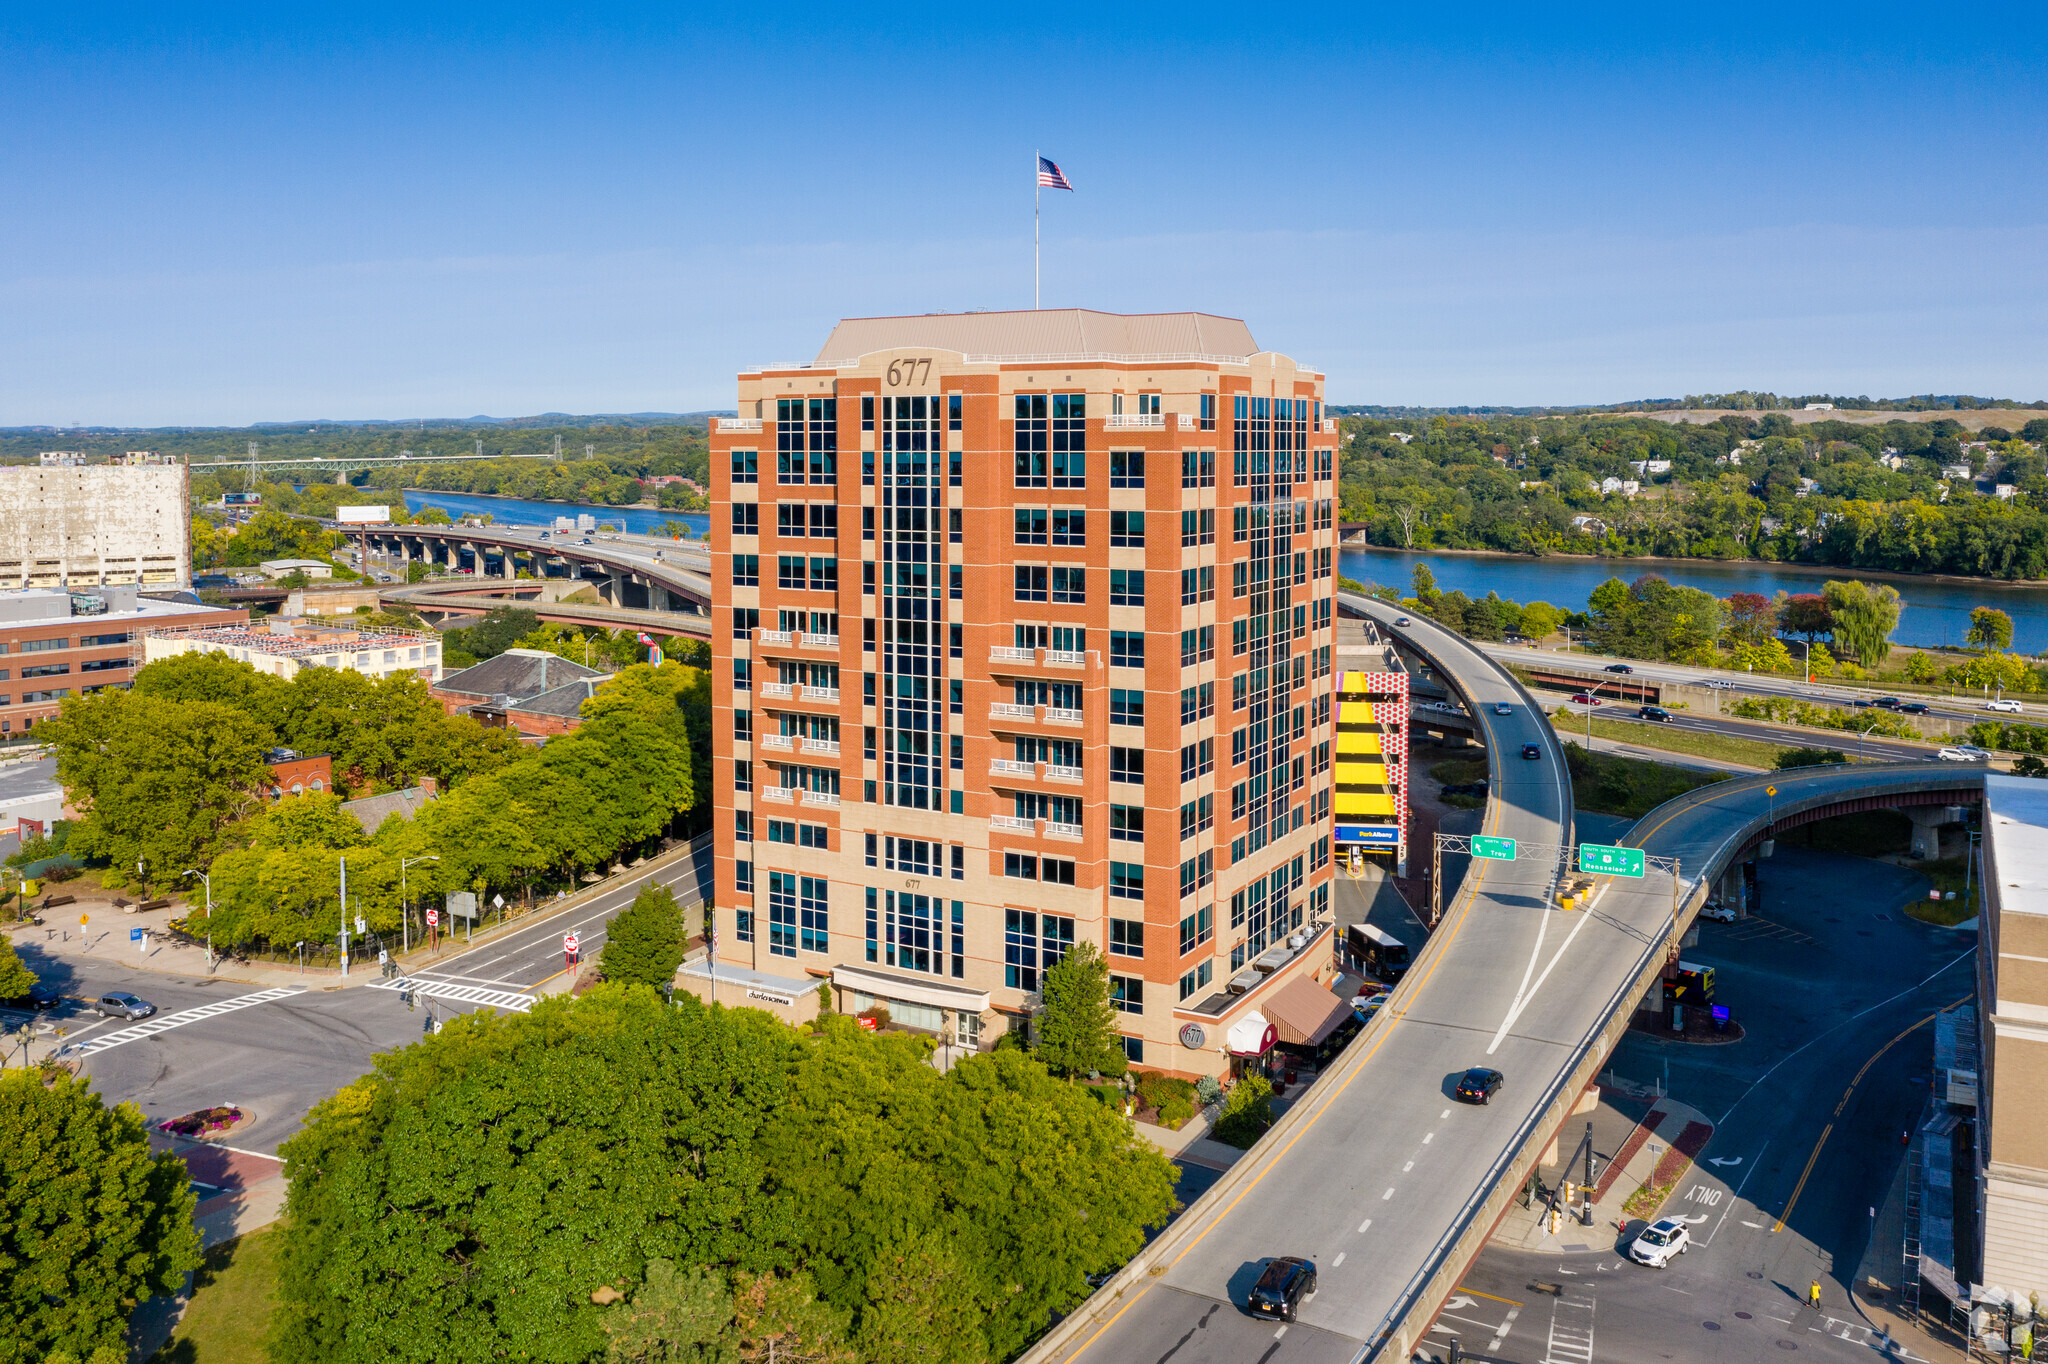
pixel 1902 497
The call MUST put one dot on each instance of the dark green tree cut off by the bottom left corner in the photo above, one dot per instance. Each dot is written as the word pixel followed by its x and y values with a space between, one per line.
pixel 91 1220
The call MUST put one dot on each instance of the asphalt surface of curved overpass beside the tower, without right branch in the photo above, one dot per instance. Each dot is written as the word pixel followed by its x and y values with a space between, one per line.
pixel 1369 1187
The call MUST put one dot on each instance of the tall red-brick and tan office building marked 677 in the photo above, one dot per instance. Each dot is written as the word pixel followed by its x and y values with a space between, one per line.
pixel 1025 640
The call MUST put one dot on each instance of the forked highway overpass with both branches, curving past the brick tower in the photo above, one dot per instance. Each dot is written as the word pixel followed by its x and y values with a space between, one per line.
pixel 1379 1175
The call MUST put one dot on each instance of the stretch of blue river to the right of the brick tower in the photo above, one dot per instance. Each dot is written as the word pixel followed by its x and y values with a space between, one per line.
pixel 1936 613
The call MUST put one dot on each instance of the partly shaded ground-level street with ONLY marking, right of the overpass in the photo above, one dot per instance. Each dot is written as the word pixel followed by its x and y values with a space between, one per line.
pixel 1836 988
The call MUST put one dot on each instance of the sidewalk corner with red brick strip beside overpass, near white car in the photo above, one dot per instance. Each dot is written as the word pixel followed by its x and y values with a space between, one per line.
pixel 1670 1136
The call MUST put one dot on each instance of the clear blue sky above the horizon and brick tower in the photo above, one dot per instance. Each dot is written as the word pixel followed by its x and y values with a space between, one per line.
pixel 226 214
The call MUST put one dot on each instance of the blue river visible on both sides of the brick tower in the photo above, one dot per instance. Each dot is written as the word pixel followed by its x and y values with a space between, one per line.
pixel 1936 611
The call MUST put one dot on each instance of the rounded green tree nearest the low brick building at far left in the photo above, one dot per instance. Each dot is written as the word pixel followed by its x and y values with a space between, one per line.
pixel 157 781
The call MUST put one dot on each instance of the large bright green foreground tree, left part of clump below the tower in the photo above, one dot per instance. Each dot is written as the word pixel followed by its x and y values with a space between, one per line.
pixel 468 1199
